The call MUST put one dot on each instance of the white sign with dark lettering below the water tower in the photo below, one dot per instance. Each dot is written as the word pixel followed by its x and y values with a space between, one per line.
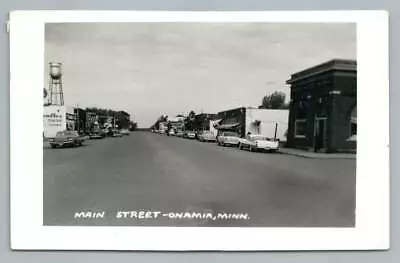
pixel 54 120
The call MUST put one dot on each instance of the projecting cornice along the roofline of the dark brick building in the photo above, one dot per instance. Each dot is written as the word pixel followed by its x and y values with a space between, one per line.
pixel 333 64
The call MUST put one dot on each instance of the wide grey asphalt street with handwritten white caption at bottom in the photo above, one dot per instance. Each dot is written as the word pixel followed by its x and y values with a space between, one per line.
pixel 147 179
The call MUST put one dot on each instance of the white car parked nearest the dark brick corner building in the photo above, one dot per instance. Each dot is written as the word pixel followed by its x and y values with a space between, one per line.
pixel 259 143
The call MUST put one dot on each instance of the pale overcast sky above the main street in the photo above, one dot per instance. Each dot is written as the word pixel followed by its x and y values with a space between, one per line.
pixel 149 69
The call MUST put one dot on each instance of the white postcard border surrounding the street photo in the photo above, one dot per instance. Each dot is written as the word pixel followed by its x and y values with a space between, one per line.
pixel 26 152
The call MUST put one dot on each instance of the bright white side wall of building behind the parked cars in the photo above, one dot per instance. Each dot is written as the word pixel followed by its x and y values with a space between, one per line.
pixel 268 119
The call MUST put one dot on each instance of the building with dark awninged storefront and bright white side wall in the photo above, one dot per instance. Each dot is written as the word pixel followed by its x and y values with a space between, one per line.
pixel 267 122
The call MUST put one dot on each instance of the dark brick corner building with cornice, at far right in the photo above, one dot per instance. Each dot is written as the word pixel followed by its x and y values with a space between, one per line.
pixel 323 107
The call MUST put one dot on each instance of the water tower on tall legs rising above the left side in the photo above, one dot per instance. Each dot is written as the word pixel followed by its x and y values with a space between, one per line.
pixel 55 84
